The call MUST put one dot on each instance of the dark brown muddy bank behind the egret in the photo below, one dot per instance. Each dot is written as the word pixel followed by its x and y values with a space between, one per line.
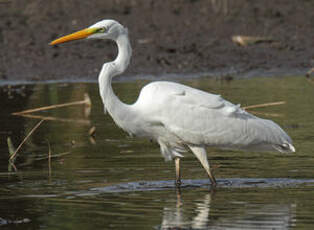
pixel 182 36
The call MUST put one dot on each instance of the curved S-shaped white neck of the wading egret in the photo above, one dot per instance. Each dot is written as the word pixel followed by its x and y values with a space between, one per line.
pixel 117 109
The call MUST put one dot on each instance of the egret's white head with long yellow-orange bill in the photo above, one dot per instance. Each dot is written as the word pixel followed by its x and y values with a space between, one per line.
pixel 105 29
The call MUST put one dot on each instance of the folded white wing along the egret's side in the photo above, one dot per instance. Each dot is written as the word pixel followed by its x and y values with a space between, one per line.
pixel 201 118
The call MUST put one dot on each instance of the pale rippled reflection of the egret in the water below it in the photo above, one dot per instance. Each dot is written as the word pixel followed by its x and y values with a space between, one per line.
pixel 198 215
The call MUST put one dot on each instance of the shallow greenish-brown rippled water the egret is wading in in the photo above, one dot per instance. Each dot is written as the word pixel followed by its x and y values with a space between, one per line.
pixel 116 182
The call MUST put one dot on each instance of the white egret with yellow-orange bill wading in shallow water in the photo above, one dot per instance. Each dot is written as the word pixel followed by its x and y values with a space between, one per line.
pixel 179 118
